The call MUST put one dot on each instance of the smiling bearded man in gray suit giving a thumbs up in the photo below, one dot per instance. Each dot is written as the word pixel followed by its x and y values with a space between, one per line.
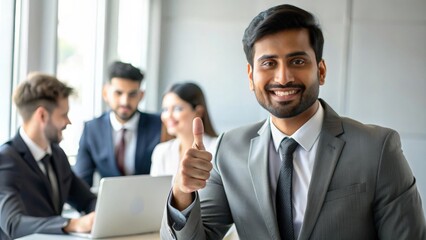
pixel 347 180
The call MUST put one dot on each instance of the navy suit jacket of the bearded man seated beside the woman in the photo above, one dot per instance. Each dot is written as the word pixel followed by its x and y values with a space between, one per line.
pixel 96 151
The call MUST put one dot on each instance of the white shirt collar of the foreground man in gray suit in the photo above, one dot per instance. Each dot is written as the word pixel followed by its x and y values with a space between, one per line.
pixel 305 135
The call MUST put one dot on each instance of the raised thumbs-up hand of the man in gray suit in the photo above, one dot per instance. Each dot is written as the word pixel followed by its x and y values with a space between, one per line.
pixel 194 169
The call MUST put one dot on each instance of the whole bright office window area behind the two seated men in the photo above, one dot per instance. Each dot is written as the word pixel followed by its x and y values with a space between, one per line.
pixel 74 39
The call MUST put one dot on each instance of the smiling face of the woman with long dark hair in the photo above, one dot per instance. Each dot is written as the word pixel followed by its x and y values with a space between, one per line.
pixel 177 115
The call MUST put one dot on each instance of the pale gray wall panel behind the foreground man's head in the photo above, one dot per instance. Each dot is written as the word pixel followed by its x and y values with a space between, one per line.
pixel 201 41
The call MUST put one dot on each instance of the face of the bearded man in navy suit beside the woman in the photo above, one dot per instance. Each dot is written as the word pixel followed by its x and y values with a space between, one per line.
pixel 123 96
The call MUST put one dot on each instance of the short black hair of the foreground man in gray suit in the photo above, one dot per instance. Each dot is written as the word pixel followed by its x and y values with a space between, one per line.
pixel 280 18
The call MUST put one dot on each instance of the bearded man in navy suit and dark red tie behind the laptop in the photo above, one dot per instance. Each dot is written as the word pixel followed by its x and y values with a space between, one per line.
pixel 119 142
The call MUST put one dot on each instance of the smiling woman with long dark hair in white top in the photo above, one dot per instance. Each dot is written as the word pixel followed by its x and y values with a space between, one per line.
pixel 182 102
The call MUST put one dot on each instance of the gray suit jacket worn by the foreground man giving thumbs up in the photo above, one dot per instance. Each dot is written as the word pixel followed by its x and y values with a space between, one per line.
pixel 361 187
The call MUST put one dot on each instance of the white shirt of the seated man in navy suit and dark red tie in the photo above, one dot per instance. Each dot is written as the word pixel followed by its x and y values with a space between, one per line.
pixel 131 137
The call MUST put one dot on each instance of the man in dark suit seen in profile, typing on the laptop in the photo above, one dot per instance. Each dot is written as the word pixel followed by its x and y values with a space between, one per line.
pixel 33 187
